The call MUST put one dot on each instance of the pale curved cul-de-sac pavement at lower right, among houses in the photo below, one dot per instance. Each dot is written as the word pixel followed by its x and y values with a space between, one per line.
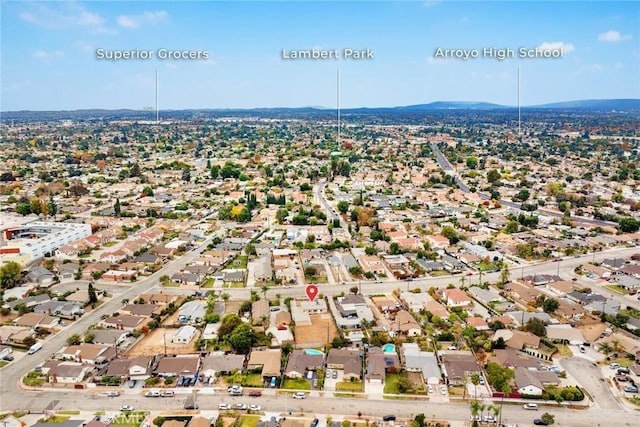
pixel 592 380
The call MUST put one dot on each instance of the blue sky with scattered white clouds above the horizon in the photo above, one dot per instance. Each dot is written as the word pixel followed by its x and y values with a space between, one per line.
pixel 48 56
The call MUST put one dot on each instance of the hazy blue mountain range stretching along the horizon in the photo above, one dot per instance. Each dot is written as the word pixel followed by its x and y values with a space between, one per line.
pixel 609 105
